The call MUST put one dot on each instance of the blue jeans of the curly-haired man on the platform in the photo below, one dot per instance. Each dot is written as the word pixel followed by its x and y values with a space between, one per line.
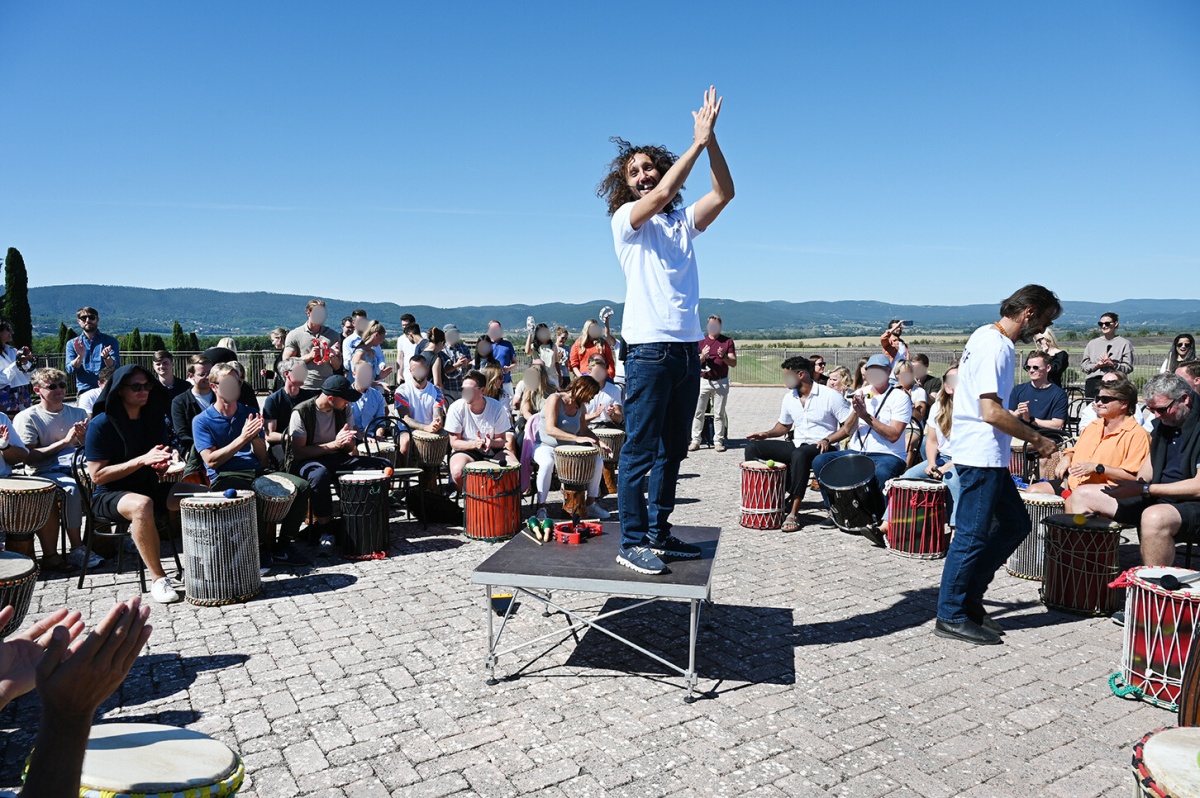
pixel 662 389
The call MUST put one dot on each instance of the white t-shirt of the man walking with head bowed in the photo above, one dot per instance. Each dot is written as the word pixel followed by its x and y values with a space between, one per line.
pixel 987 367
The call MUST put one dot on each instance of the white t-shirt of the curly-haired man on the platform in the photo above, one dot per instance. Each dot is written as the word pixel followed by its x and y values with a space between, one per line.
pixel 662 278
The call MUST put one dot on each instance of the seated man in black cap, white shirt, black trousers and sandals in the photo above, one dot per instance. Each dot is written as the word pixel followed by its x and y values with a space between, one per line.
pixel 814 415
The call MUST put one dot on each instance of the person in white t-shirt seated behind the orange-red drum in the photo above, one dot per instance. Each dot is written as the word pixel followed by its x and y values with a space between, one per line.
pixel 481 429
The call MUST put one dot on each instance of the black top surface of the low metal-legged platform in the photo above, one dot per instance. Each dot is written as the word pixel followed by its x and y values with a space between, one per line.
pixel 592 567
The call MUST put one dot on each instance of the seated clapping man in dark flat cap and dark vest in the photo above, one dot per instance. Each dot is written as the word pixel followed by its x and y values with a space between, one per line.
pixel 323 442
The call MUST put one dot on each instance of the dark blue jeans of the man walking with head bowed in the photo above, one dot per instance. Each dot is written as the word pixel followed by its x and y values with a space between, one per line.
pixel 992 524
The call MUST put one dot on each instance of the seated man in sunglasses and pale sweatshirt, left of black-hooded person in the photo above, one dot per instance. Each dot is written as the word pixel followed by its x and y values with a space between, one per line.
pixel 52 431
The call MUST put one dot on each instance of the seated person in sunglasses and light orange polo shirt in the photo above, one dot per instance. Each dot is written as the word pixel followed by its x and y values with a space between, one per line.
pixel 1112 448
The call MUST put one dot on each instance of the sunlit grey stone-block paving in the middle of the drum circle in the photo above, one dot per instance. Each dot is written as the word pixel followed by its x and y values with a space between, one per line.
pixel 367 680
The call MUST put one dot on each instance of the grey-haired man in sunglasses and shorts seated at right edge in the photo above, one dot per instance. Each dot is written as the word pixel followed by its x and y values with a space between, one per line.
pixel 1165 500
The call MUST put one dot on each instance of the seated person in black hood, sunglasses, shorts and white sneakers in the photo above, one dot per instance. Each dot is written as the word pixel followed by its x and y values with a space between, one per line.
pixel 128 447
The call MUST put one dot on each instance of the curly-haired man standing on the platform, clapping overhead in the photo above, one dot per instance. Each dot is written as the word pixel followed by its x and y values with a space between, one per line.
pixel 653 237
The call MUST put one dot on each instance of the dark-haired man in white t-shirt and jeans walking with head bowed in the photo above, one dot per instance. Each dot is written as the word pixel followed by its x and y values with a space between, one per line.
pixel 992 518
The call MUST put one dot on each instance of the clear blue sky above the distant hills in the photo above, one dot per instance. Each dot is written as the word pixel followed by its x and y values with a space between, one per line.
pixel 447 154
